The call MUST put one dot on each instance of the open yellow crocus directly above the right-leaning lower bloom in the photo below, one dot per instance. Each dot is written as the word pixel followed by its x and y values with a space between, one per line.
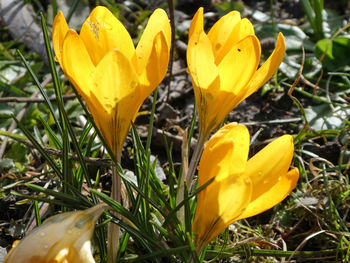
pixel 223 65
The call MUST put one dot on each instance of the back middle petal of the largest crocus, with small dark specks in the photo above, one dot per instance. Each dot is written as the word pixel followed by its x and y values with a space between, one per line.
pixel 103 32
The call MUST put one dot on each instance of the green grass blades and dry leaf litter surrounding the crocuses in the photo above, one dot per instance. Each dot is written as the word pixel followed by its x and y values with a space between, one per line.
pixel 52 159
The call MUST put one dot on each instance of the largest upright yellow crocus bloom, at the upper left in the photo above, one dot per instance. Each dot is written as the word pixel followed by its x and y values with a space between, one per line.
pixel 111 75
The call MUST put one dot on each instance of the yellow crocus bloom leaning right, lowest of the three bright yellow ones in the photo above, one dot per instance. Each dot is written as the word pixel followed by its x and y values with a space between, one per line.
pixel 240 188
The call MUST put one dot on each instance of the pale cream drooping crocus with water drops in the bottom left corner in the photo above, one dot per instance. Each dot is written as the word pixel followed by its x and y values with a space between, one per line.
pixel 62 238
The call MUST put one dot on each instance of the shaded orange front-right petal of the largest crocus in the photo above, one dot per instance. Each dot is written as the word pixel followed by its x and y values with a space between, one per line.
pixel 157 65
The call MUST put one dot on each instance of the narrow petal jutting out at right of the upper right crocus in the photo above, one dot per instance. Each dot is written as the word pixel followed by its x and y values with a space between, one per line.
pixel 266 71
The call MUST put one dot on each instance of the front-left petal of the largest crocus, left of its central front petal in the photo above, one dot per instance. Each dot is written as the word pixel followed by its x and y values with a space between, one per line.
pixel 77 65
